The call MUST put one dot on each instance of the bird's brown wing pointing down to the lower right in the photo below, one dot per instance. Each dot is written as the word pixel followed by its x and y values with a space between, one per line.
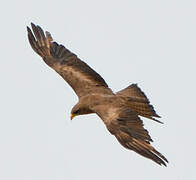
pixel 128 128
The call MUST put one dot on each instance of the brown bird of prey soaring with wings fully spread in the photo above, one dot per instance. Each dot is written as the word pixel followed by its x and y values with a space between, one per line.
pixel 119 111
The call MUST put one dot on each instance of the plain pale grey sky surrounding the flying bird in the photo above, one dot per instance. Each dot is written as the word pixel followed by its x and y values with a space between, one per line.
pixel 152 43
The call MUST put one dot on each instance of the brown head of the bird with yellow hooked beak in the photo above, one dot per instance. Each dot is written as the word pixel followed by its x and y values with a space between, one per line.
pixel 80 109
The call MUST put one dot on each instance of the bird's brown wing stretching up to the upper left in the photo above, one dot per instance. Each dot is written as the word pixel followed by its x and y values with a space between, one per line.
pixel 82 78
